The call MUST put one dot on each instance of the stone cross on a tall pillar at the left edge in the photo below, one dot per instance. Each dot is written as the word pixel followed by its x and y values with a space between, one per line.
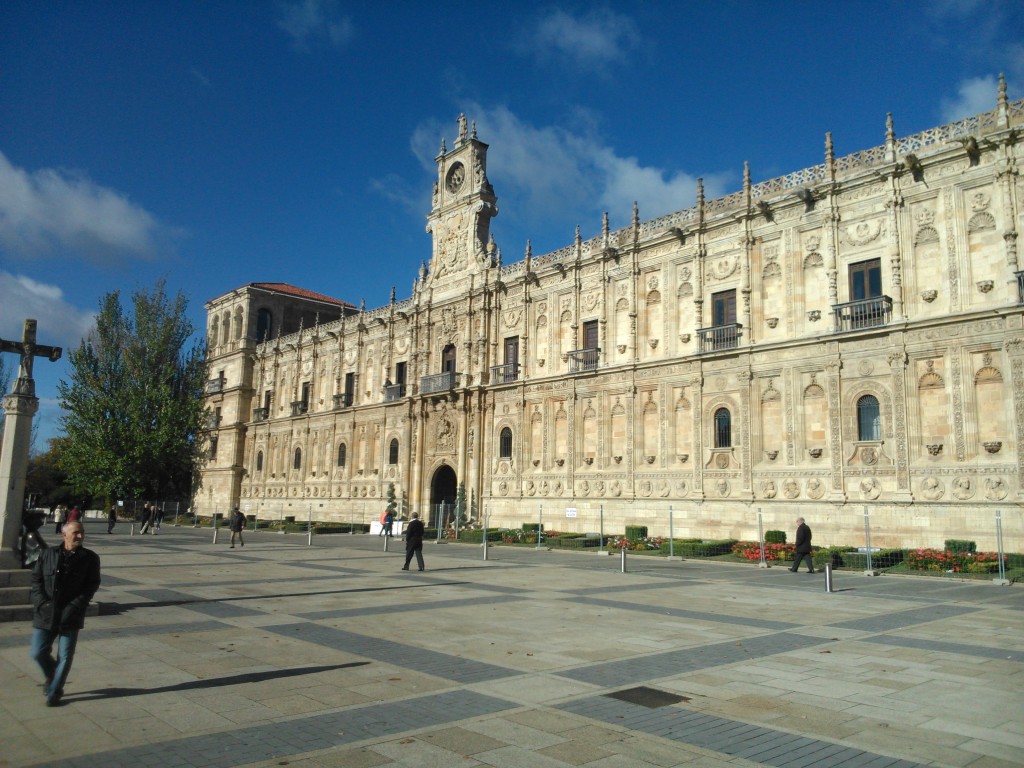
pixel 19 409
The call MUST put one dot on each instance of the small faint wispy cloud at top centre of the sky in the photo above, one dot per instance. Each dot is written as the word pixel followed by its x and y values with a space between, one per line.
pixel 592 39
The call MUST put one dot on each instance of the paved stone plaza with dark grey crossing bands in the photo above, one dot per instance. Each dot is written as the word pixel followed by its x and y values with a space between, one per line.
pixel 281 654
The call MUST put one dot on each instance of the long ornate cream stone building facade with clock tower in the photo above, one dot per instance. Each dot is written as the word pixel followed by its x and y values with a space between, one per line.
pixel 842 342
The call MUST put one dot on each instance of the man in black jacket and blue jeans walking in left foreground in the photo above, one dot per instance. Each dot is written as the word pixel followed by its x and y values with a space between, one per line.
pixel 64 581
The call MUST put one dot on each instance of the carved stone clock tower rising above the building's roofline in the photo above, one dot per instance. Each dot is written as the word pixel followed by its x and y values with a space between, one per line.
pixel 463 205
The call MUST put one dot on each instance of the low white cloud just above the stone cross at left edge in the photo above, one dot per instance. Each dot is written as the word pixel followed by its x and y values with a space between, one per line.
pixel 60 324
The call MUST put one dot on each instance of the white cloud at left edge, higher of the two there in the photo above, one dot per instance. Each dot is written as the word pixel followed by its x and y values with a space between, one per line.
pixel 50 209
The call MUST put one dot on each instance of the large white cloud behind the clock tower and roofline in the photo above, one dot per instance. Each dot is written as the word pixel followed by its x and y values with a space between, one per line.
pixel 558 176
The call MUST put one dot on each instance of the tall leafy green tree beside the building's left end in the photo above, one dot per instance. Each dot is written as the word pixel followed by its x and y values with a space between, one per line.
pixel 134 407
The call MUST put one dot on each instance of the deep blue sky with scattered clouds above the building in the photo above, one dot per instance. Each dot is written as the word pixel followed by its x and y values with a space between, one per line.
pixel 220 144
